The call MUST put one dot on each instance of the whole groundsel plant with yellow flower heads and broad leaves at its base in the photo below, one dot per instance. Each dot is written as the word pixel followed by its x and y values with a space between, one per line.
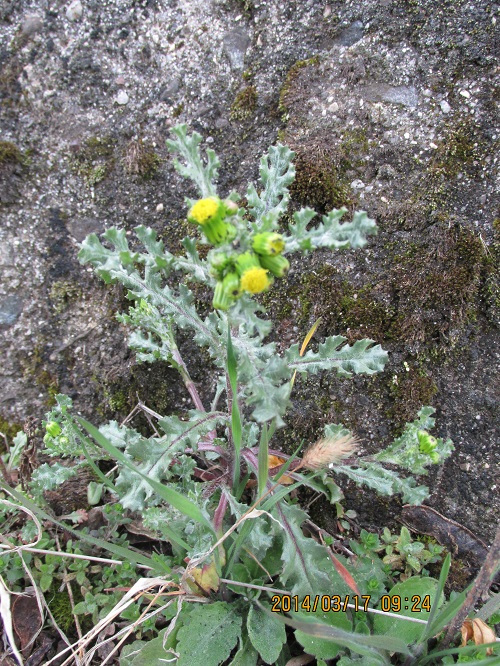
pixel 209 484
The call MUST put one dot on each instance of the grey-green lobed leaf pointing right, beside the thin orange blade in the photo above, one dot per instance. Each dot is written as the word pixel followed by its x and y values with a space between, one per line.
pixel 360 358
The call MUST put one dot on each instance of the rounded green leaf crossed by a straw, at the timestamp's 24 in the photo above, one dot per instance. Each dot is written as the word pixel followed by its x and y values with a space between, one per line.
pixel 415 588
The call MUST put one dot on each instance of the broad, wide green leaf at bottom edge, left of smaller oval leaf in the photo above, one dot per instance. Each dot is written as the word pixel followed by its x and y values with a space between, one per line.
pixel 209 634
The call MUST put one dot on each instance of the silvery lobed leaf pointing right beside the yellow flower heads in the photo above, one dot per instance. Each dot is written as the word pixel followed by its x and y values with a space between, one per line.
pixel 329 233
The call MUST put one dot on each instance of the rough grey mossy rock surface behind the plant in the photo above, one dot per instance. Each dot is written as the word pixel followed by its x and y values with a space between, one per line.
pixel 390 106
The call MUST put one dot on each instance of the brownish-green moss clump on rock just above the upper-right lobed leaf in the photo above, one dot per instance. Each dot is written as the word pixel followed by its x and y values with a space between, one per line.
pixel 318 182
